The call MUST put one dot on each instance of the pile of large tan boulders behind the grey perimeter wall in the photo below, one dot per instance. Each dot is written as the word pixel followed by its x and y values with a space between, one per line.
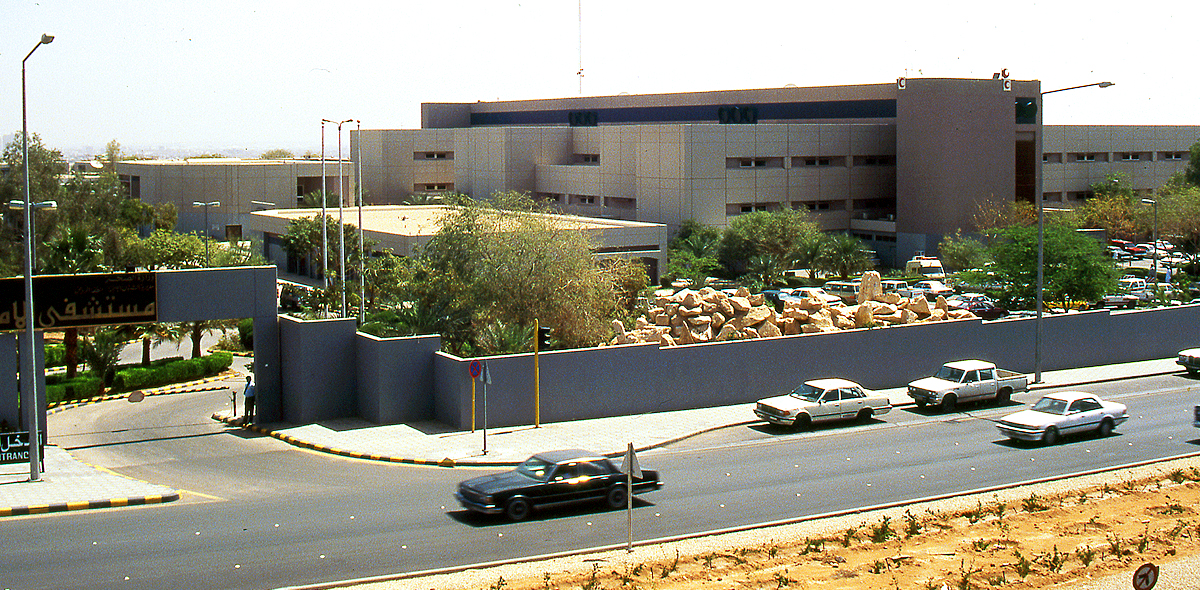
pixel 711 316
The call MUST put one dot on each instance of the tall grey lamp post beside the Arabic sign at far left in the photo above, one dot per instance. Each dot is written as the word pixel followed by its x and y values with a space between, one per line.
pixel 29 383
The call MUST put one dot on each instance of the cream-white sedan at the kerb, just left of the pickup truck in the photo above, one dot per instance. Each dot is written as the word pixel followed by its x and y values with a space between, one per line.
pixel 823 400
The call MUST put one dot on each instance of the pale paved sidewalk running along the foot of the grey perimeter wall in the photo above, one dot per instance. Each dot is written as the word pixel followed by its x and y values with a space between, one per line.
pixel 431 444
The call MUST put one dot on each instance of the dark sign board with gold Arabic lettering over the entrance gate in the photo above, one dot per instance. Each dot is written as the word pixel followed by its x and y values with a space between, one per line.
pixel 81 300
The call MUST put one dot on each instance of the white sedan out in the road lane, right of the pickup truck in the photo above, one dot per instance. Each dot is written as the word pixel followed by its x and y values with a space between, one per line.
pixel 1064 413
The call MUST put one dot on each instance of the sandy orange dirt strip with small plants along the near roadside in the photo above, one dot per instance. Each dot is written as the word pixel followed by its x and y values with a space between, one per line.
pixel 1053 535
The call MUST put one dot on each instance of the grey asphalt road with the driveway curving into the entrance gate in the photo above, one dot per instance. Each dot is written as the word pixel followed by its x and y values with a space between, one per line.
pixel 257 514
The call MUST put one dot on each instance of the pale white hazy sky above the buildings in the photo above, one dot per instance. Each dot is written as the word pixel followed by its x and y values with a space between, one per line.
pixel 253 75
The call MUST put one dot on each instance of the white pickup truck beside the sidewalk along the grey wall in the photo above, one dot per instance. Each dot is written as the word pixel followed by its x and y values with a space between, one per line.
pixel 967 382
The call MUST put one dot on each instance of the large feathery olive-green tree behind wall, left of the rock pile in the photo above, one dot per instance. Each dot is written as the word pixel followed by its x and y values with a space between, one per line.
pixel 507 261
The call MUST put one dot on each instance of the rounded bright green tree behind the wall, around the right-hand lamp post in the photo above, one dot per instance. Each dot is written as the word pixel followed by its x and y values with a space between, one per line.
pixel 1077 267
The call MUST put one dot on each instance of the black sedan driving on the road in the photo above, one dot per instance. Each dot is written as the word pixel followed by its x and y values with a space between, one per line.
pixel 553 478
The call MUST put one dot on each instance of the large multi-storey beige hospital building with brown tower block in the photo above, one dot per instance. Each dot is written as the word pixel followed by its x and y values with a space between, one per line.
pixel 899 165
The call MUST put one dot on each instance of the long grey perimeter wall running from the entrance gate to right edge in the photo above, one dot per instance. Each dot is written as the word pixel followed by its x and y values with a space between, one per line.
pixel 393 376
